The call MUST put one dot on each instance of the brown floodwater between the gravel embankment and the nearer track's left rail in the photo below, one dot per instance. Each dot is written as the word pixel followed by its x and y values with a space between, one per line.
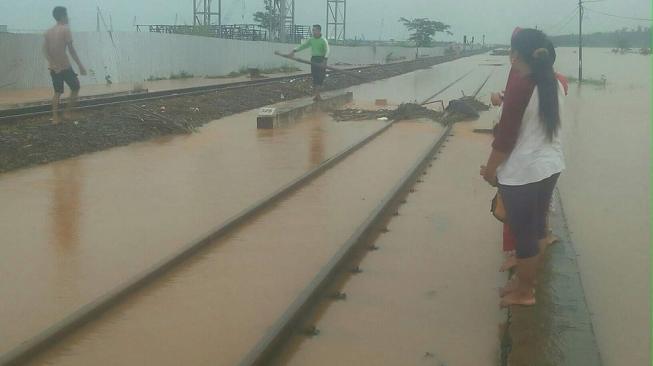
pixel 74 229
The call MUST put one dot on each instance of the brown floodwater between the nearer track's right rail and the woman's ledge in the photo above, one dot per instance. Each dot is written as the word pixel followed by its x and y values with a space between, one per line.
pixel 428 295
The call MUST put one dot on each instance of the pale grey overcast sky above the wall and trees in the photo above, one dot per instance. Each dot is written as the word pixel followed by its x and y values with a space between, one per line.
pixel 369 18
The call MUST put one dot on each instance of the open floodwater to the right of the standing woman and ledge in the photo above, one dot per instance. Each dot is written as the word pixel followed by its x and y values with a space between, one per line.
pixel 605 192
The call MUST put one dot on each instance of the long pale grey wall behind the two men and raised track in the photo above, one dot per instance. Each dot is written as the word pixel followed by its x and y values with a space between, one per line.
pixel 133 57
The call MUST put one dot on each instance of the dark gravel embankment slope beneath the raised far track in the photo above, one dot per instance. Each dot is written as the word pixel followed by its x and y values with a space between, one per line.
pixel 30 141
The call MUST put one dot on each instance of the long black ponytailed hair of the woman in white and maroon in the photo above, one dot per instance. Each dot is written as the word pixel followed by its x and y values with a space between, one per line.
pixel 536 50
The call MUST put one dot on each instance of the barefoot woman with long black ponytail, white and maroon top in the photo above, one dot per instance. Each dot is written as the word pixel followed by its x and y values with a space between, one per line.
pixel 526 158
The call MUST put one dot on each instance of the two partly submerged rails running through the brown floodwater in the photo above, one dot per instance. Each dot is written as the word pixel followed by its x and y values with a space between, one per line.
pixel 87 313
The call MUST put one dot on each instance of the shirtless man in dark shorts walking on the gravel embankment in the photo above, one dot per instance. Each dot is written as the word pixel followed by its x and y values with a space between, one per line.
pixel 58 40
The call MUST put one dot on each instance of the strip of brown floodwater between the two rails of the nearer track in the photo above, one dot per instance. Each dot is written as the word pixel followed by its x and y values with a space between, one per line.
pixel 215 307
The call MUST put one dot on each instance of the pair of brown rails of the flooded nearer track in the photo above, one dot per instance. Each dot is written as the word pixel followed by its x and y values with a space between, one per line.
pixel 268 345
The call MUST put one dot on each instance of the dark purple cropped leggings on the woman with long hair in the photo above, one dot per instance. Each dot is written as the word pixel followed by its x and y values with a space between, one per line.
pixel 527 207
